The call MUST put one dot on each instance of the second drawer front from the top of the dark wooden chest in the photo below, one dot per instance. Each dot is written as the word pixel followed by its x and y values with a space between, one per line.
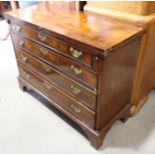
pixel 71 68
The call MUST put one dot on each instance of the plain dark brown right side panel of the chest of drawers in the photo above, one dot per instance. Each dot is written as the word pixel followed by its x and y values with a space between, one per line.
pixel 117 81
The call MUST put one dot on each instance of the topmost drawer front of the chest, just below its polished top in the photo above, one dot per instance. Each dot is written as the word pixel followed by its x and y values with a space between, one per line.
pixel 62 47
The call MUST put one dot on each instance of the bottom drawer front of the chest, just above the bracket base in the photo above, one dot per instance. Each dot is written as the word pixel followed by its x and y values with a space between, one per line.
pixel 75 108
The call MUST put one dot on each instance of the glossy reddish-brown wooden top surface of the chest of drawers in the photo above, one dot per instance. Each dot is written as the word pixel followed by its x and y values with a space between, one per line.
pixel 93 29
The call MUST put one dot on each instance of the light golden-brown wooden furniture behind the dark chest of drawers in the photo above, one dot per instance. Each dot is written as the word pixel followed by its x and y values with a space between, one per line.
pixel 140 14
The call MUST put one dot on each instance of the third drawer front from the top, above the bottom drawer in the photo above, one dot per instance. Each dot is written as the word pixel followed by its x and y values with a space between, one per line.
pixel 74 89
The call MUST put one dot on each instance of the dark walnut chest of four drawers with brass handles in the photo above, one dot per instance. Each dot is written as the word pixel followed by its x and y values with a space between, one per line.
pixel 81 63
